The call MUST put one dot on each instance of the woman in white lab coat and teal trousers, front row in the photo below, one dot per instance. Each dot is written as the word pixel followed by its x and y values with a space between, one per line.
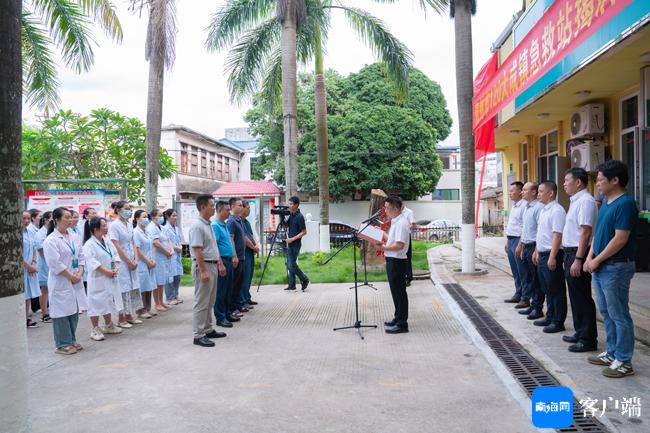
pixel 64 257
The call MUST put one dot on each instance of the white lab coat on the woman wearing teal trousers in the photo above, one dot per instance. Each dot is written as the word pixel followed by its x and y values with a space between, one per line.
pixel 65 298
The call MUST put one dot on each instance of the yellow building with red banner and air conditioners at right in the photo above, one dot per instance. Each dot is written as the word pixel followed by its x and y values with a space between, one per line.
pixel 571 87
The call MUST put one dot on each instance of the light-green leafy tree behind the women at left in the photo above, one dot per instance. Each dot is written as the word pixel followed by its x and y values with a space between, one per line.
pixel 104 144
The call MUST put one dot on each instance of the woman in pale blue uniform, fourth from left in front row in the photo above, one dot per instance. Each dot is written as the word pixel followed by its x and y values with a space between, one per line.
pixel 146 263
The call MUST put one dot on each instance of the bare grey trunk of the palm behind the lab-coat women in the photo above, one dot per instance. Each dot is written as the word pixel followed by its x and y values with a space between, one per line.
pixel 154 125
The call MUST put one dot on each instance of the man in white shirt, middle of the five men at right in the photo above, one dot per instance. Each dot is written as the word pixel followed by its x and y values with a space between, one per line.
pixel 549 258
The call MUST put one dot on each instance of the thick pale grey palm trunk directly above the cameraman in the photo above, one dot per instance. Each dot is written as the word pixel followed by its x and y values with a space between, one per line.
pixel 289 101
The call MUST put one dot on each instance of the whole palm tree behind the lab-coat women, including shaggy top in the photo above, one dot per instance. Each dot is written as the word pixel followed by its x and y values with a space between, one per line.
pixel 160 51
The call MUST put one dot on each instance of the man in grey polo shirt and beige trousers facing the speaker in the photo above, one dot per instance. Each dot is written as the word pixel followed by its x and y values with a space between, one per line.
pixel 206 265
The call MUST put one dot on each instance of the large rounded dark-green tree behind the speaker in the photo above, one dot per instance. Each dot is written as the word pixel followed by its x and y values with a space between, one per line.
pixel 376 141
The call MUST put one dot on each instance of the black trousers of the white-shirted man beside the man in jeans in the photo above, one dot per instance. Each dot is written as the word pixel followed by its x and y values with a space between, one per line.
pixel 583 307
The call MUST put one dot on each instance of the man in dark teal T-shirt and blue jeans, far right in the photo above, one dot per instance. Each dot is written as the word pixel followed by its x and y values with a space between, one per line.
pixel 611 262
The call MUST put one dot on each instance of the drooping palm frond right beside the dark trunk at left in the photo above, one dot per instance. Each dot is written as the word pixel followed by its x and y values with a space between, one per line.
pixel 40 81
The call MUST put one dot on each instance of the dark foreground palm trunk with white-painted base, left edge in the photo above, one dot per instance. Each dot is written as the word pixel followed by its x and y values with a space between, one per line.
pixel 13 399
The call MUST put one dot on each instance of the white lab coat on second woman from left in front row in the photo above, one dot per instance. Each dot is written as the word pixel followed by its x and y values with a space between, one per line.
pixel 104 295
